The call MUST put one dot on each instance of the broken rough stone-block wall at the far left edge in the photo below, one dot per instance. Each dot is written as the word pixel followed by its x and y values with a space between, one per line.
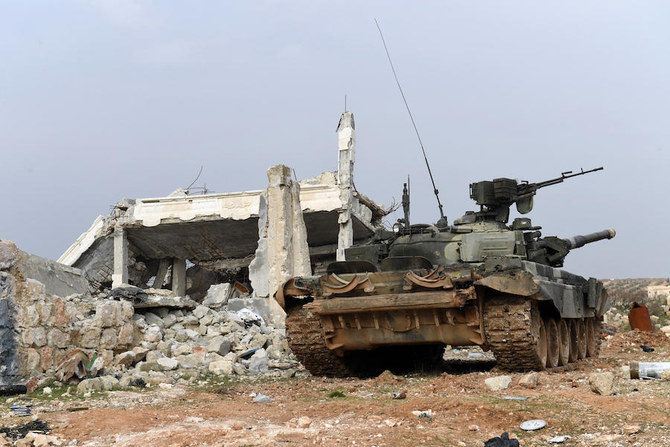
pixel 39 326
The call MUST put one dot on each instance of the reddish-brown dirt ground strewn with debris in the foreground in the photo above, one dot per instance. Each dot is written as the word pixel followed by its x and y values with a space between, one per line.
pixel 362 412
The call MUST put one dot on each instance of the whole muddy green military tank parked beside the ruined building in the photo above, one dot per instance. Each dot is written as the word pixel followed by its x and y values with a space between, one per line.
pixel 401 297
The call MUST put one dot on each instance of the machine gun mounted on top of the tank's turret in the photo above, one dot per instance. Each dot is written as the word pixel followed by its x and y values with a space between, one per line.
pixel 496 196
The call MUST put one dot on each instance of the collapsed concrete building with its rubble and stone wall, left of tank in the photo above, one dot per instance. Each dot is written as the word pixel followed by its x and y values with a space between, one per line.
pixel 179 284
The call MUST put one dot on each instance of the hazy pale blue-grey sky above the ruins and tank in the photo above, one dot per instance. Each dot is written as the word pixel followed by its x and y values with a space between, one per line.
pixel 105 99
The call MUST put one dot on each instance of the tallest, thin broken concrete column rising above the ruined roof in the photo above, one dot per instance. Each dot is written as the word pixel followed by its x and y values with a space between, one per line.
pixel 346 139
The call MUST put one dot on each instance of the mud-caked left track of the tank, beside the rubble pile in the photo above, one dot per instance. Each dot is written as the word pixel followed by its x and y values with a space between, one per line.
pixel 305 337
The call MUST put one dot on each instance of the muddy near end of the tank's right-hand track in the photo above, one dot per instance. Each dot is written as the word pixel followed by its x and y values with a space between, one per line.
pixel 515 332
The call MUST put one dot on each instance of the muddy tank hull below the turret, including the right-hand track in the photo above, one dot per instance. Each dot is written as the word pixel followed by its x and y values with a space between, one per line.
pixel 529 315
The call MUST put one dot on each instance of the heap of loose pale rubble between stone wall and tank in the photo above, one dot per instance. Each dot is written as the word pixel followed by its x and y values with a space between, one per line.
pixel 221 336
